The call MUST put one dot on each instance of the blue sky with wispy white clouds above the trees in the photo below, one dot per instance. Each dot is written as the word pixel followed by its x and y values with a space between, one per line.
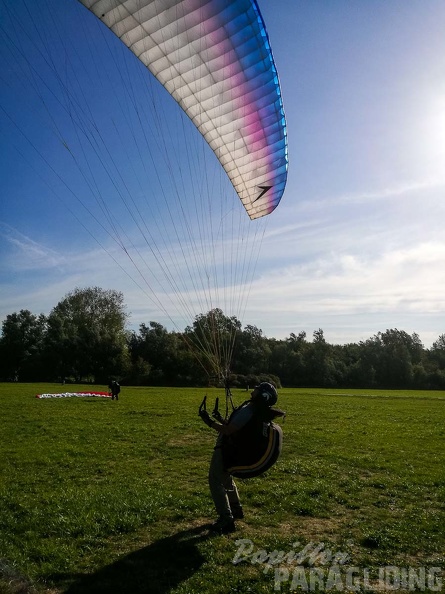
pixel 357 244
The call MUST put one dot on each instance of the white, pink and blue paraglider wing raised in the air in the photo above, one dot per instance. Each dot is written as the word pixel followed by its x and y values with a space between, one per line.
pixel 214 58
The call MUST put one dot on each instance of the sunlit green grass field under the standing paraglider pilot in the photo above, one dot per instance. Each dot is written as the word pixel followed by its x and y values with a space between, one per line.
pixel 111 497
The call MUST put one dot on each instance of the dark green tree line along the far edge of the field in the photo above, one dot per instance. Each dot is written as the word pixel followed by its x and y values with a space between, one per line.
pixel 85 338
